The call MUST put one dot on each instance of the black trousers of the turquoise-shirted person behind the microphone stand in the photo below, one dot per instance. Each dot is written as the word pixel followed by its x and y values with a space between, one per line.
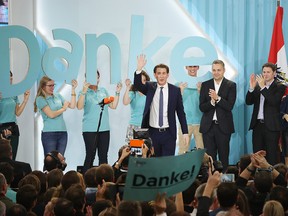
pixel 92 145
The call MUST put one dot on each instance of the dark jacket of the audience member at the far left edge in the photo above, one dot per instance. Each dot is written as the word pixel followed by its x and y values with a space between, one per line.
pixel 21 169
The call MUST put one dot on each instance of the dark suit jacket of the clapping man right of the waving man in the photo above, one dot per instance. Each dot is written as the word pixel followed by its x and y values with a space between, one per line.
pixel 227 92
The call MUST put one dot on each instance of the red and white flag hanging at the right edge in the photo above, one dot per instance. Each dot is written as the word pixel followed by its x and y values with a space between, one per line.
pixel 277 54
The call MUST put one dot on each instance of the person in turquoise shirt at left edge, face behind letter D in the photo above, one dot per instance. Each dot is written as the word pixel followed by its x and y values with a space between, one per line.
pixel 10 108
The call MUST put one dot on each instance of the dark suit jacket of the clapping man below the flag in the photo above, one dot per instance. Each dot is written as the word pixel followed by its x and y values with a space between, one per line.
pixel 273 97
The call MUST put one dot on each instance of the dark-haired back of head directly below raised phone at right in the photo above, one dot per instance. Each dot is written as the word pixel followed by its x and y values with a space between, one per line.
pixel 227 193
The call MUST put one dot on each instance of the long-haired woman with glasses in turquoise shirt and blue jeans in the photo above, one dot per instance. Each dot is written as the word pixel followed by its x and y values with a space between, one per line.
pixel 52 106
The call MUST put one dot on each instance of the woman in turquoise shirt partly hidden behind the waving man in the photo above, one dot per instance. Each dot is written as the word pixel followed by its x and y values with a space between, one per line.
pixel 137 103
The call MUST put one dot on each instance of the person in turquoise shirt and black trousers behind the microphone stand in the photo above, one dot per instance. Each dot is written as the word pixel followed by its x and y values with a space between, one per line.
pixel 89 99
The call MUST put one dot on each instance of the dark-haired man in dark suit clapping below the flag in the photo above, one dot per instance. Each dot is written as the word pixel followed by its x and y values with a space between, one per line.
pixel 265 94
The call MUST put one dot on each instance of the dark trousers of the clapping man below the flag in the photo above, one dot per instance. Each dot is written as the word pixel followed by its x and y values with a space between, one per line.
pixel 264 139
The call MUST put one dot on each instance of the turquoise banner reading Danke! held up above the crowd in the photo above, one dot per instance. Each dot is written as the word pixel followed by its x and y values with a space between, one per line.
pixel 172 174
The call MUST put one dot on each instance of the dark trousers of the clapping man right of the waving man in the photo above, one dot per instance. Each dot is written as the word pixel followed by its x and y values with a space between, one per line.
pixel 215 141
